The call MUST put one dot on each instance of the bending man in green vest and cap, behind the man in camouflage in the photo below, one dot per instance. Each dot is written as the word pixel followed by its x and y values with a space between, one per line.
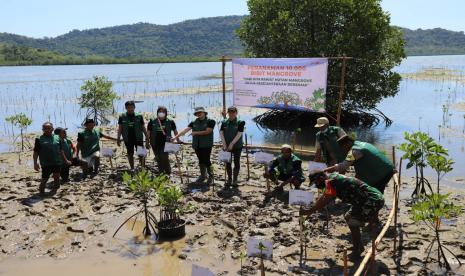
pixel 371 165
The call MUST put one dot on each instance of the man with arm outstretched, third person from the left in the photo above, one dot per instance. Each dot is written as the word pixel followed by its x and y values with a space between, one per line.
pixel 89 146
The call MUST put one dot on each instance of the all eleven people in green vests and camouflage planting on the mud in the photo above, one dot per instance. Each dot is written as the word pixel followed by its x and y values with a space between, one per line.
pixel 364 192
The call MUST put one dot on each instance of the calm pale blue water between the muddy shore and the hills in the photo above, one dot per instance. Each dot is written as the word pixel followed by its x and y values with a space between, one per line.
pixel 49 93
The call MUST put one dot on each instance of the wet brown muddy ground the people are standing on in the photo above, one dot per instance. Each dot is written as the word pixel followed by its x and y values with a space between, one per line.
pixel 71 231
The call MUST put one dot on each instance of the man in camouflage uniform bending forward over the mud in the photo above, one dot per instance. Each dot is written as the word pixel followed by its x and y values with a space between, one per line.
pixel 366 202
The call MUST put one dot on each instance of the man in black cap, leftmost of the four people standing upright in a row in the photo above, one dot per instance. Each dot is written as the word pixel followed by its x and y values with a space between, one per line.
pixel 131 126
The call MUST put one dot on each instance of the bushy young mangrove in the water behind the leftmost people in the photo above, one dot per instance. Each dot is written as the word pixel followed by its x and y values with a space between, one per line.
pixel 97 98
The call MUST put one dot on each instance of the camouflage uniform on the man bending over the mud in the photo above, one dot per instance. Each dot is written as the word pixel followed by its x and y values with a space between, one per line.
pixel 366 201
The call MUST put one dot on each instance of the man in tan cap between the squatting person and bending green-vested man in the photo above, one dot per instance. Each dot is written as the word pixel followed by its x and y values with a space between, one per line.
pixel 327 148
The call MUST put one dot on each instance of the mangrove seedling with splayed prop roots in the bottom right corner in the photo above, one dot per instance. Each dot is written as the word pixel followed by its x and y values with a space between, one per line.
pixel 430 209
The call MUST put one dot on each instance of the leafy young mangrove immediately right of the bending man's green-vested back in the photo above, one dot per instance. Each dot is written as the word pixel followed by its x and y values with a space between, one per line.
pixel 416 149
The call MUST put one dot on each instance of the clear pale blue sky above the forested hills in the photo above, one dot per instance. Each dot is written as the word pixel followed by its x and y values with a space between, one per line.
pixel 39 18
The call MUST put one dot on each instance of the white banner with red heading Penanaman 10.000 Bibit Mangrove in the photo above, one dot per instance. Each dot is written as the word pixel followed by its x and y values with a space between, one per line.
pixel 284 83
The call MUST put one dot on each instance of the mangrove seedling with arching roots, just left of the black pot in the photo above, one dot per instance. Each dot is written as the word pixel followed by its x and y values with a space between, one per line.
pixel 144 185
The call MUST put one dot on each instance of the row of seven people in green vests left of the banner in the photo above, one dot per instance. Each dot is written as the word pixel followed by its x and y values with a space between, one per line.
pixel 56 153
